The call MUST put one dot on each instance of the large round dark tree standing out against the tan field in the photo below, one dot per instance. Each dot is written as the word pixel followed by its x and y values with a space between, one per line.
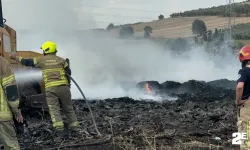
pixel 199 27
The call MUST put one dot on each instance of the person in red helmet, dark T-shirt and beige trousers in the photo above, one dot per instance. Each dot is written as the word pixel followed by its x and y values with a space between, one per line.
pixel 243 96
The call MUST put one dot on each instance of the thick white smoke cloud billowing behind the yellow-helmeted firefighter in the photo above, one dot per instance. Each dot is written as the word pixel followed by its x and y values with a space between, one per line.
pixel 107 67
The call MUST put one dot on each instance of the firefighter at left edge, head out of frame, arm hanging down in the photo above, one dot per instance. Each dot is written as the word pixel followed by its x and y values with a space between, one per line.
pixel 9 103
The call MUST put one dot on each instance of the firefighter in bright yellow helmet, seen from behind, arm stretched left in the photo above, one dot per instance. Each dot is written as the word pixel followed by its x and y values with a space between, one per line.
pixel 57 87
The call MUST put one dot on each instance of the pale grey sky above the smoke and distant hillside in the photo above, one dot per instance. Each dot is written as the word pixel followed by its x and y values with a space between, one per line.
pixel 85 14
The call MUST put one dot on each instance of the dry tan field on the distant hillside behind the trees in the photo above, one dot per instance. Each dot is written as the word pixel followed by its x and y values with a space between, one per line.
pixel 181 27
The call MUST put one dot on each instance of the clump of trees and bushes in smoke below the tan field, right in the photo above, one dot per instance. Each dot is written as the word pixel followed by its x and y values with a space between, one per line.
pixel 214 42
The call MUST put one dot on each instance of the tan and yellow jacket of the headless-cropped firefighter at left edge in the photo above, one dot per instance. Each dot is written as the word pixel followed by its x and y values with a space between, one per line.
pixel 9 96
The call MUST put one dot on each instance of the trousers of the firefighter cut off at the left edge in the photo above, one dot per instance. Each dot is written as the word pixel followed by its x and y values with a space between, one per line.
pixel 8 137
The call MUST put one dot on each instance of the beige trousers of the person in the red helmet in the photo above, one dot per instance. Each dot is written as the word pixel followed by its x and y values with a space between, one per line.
pixel 243 123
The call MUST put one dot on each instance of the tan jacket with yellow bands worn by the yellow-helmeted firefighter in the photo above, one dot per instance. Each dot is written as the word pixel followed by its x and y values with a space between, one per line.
pixel 53 69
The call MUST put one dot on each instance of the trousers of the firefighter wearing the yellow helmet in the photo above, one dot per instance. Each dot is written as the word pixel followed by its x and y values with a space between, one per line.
pixel 57 98
